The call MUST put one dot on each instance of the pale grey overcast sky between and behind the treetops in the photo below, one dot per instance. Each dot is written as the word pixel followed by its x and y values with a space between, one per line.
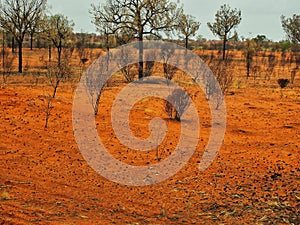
pixel 258 16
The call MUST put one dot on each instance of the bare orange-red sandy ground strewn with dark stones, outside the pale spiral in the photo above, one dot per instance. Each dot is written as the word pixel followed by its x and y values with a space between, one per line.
pixel 255 178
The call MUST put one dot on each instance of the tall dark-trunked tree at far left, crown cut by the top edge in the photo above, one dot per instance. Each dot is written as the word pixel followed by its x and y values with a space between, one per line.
pixel 17 16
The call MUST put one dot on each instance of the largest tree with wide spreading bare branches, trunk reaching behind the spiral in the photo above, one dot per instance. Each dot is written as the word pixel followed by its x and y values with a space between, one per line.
pixel 140 17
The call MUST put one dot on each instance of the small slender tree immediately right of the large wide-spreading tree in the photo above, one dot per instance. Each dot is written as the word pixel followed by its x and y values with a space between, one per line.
pixel 188 26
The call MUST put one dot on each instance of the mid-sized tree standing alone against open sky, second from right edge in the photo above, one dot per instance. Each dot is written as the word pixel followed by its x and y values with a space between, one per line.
pixel 226 19
